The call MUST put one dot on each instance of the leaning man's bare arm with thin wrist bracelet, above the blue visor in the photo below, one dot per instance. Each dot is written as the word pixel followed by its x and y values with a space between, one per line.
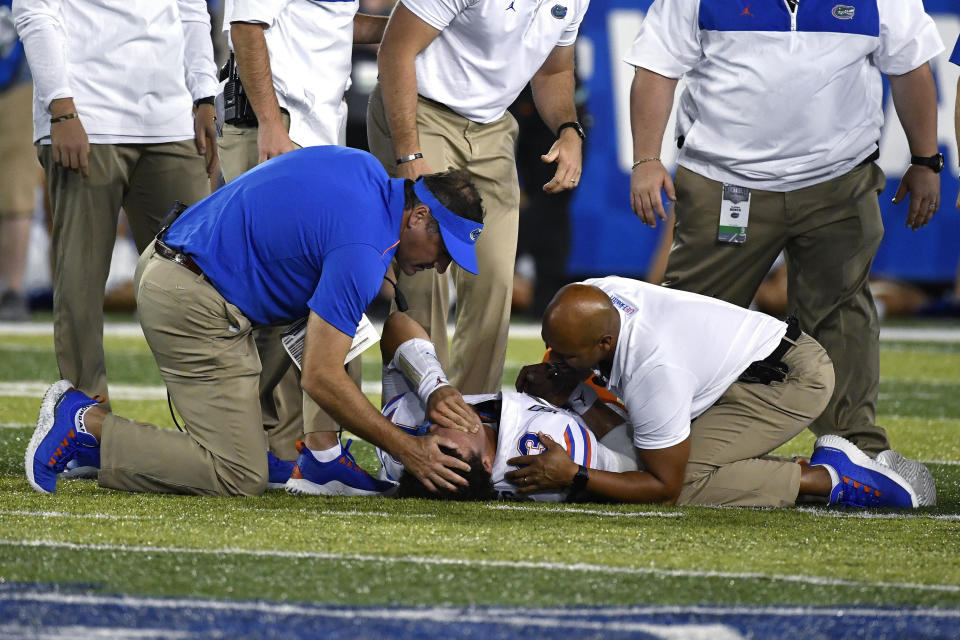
pixel 406 35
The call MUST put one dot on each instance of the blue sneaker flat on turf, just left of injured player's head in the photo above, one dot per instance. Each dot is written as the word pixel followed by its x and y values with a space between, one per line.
pixel 340 477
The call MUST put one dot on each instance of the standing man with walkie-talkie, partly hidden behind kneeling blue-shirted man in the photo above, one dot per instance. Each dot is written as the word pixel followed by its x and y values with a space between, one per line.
pixel 293 59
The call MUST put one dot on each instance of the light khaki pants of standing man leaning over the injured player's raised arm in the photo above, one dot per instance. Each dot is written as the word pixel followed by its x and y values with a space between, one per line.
pixel 476 355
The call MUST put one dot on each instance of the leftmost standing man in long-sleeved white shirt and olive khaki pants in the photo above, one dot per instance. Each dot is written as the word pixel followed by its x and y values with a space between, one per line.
pixel 123 117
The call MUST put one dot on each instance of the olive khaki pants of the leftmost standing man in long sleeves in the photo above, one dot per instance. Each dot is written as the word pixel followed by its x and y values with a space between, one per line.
pixel 144 179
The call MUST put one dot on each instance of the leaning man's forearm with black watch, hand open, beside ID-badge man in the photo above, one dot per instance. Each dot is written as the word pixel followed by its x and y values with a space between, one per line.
pixel 553 87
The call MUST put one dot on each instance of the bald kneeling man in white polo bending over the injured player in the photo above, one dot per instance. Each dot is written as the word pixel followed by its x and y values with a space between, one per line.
pixel 710 389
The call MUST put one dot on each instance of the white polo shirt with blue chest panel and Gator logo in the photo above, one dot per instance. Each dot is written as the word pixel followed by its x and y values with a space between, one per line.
pixel 780 101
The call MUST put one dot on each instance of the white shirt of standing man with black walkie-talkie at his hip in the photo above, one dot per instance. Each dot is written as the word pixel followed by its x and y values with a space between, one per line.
pixel 310 43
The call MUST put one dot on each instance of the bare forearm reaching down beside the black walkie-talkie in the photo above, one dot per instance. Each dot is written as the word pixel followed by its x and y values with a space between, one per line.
pixel 253 65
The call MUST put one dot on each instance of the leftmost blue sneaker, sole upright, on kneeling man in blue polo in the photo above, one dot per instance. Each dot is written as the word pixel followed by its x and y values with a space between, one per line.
pixel 57 438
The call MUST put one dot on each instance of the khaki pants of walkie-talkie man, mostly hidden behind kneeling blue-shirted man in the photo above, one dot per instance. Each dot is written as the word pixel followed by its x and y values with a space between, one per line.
pixel 287 412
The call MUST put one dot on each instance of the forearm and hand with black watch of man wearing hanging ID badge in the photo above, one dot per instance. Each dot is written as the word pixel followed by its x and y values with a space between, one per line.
pixel 915 99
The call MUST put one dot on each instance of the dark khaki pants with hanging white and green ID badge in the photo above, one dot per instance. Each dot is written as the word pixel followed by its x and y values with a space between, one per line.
pixel 830 232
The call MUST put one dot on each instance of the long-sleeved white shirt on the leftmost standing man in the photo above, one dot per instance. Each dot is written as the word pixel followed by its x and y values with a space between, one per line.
pixel 133 68
